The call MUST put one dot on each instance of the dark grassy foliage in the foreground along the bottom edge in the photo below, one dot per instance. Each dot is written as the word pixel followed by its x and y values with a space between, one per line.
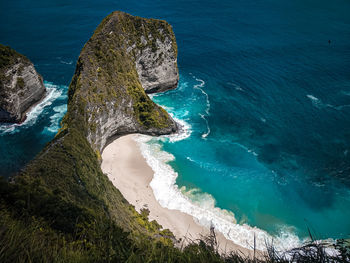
pixel 27 236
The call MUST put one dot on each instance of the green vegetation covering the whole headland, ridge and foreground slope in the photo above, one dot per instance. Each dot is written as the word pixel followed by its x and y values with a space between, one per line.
pixel 61 207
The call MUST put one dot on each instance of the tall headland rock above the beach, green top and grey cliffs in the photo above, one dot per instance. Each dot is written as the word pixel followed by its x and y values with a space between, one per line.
pixel 125 57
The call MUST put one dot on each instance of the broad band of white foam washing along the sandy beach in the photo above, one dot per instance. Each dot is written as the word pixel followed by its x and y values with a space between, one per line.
pixel 202 205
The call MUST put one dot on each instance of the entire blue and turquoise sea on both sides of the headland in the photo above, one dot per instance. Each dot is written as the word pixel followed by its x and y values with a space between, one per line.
pixel 266 97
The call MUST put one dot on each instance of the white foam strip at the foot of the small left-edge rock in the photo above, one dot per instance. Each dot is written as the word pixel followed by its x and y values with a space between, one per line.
pixel 53 93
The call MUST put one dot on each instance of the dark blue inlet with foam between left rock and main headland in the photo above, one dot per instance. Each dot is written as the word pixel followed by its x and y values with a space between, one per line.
pixel 20 143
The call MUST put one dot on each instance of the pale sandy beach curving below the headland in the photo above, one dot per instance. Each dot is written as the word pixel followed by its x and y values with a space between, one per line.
pixel 129 172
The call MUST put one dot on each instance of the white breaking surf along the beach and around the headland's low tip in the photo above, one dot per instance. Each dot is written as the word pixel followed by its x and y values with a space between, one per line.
pixel 202 206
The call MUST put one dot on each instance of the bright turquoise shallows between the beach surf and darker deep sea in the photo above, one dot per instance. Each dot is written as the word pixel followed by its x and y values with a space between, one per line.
pixel 283 199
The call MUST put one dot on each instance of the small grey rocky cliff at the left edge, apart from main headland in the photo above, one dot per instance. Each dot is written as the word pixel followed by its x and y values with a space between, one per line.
pixel 20 85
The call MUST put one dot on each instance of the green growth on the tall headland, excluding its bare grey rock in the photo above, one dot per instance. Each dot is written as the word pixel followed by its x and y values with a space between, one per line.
pixel 106 78
